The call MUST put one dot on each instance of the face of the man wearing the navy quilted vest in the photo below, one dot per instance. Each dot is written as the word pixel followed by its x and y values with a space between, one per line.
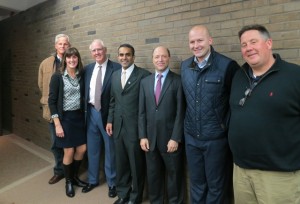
pixel 199 42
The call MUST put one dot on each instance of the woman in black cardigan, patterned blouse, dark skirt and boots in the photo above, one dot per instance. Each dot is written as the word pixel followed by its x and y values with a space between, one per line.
pixel 66 106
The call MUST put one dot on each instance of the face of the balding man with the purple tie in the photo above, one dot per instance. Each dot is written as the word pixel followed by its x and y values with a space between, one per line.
pixel 160 59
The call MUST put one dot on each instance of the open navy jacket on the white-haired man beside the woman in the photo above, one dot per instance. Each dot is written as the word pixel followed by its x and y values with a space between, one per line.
pixel 105 96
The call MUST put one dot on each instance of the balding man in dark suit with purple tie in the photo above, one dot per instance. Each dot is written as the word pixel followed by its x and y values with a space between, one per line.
pixel 161 113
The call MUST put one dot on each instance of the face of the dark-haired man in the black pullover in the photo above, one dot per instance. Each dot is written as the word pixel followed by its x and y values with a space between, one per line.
pixel 256 50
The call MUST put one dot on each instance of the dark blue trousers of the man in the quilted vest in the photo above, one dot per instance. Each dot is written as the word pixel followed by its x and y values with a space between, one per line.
pixel 210 170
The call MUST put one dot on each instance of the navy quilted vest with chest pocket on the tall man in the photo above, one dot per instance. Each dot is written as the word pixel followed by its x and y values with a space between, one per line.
pixel 207 93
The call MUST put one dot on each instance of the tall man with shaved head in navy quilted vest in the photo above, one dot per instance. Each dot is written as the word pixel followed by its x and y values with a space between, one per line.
pixel 206 79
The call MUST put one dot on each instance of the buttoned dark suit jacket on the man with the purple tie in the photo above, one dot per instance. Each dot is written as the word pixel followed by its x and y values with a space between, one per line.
pixel 162 122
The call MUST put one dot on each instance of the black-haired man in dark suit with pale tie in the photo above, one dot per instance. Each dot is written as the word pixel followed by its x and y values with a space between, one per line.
pixel 123 124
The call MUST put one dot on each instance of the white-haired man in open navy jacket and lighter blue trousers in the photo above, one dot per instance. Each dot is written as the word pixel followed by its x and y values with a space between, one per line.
pixel 96 117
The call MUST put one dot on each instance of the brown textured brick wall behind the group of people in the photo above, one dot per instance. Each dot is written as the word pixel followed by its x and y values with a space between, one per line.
pixel 27 38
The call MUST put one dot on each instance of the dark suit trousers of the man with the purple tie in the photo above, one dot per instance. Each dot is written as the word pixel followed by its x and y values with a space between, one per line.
pixel 163 167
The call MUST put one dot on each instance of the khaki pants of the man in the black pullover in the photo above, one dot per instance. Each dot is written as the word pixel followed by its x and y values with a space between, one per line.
pixel 265 187
